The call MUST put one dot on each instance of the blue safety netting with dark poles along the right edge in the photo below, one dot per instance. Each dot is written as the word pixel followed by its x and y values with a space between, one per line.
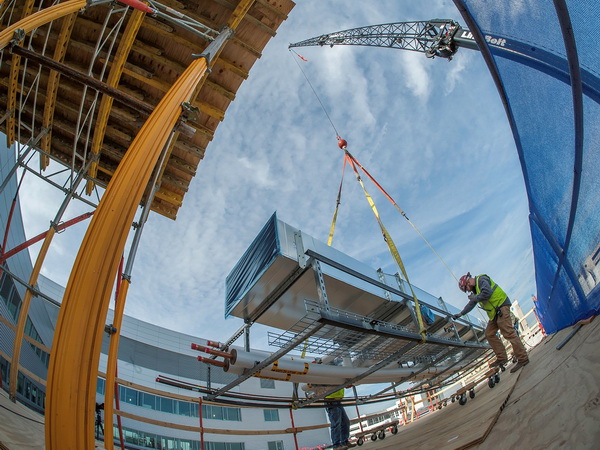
pixel 548 76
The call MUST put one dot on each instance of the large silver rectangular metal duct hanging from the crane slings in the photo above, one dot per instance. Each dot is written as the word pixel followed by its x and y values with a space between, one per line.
pixel 277 274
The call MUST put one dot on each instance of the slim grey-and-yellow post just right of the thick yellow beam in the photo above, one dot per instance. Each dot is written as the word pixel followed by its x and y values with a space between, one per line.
pixel 111 365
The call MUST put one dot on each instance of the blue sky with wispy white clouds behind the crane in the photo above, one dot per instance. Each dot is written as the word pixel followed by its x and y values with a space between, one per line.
pixel 432 132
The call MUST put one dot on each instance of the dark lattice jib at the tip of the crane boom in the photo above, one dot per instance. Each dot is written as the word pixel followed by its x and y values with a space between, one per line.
pixel 438 37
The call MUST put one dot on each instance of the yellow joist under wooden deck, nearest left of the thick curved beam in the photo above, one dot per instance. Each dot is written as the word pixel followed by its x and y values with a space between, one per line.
pixel 116 70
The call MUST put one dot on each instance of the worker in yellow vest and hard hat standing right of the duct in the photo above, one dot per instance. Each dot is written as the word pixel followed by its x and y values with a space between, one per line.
pixel 490 297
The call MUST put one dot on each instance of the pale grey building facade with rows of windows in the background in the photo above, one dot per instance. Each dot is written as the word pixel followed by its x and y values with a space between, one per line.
pixel 159 374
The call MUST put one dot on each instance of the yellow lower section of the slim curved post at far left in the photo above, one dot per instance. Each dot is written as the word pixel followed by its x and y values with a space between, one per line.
pixel 16 354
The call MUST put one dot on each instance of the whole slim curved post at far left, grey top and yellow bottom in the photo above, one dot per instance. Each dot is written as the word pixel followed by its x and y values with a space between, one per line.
pixel 23 313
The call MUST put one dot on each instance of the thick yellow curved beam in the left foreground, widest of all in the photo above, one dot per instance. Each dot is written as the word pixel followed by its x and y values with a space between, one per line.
pixel 72 374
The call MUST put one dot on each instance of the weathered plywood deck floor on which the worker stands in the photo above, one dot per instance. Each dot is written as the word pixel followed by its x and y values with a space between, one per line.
pixel 554 402
